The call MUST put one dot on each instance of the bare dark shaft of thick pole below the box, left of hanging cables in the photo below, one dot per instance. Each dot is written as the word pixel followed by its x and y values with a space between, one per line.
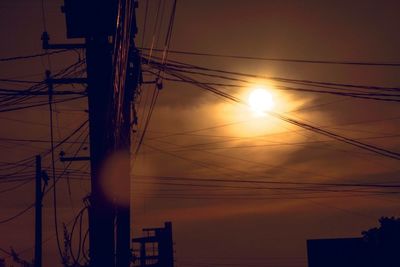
pixel 101 227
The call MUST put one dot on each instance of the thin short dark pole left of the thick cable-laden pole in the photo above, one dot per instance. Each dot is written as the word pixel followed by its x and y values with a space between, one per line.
pixel 38 212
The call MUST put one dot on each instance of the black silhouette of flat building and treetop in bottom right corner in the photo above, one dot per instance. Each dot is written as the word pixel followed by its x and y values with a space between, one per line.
pixel 377 247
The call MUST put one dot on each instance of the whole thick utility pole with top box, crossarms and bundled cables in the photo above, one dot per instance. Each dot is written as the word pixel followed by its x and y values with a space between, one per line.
pixel 113 73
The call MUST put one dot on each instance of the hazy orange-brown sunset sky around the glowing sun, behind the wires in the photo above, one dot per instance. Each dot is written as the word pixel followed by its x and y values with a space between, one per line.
pixel 196 135
